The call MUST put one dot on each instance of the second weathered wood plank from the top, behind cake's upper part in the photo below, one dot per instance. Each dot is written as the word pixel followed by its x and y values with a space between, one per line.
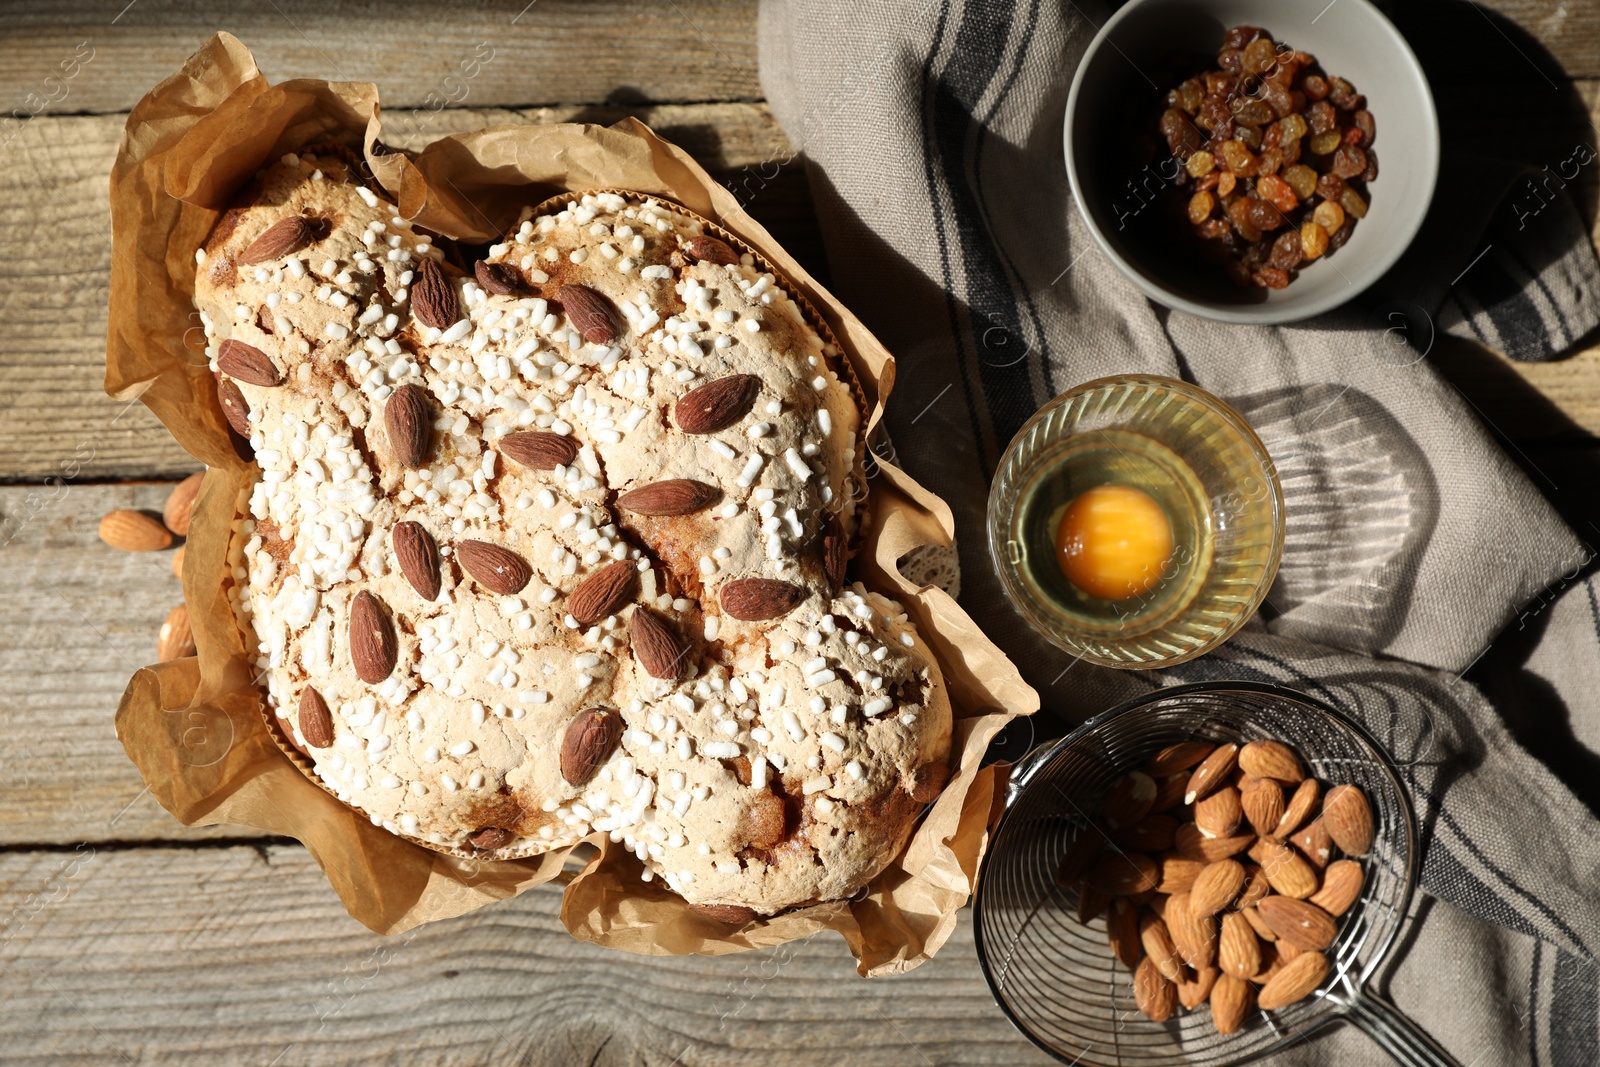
pixel 55 260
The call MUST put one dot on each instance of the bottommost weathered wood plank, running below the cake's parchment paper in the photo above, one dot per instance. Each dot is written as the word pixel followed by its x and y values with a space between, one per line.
pixel 246 956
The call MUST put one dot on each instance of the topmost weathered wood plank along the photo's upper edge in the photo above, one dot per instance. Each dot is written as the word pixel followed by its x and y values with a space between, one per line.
pixel 486 55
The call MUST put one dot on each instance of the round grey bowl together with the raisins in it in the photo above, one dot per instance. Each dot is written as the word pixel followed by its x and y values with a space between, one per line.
pixel 1225 153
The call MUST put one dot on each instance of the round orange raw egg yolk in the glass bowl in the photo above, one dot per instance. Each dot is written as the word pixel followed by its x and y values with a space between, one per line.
pixel 1114 541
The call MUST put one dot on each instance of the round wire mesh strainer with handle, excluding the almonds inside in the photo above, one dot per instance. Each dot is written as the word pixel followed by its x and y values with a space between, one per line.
pixel 1058 980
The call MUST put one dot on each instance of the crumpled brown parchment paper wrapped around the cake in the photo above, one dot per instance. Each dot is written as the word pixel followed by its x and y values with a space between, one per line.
pixel 196 727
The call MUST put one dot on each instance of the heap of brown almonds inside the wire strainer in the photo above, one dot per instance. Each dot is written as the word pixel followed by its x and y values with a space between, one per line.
pixel 1223 882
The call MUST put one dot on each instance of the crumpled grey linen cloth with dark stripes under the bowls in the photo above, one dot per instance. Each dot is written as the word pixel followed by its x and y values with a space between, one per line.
pixel 932 135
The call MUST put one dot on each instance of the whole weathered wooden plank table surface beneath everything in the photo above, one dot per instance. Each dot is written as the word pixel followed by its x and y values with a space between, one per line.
pixel 126 937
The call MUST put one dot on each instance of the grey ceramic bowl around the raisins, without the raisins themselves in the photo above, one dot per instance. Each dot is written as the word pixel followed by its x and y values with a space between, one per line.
pixel 1351 39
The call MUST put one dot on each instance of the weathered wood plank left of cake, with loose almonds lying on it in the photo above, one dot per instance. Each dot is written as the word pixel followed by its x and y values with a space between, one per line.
pixel 79 620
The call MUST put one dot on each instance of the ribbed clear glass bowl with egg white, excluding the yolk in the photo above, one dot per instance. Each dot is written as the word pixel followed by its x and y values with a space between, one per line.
pixel 1202 465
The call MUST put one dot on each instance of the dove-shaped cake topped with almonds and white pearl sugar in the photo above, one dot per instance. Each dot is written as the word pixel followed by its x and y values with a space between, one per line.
pixel 556 546
